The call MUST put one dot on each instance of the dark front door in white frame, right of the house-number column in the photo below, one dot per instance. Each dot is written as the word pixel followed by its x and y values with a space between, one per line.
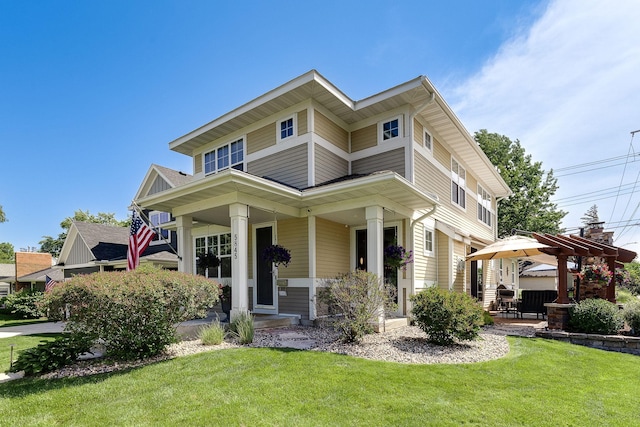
pixel 264 292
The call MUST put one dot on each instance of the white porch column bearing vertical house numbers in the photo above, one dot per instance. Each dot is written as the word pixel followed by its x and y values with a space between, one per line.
pixel 239 257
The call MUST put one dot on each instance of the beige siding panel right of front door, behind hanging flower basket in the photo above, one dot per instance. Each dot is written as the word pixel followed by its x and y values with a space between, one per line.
pixel 293 235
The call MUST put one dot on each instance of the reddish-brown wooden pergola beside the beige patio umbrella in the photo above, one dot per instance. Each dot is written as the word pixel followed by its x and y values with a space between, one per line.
pixel 562 247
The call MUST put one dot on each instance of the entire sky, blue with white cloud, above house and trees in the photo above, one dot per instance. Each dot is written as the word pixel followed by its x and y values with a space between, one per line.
pixel 91 93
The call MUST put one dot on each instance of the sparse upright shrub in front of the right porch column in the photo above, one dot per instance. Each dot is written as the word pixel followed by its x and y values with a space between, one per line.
pixel 356 300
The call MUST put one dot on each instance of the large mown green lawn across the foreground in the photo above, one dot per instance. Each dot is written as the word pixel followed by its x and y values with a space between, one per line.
pixel 540 382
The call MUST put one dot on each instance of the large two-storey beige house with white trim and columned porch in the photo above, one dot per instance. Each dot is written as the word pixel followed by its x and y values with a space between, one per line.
pixel 335 181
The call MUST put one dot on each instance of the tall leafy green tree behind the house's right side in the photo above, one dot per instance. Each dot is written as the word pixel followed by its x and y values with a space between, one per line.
pixel 529 208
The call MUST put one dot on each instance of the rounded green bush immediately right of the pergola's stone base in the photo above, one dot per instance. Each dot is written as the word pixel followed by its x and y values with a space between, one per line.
pixel 595 316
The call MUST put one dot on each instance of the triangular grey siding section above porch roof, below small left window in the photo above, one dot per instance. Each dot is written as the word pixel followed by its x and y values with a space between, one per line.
pixel 287 166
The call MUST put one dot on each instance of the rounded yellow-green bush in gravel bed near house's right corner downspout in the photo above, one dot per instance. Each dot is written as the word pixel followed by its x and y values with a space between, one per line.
pixel 444 315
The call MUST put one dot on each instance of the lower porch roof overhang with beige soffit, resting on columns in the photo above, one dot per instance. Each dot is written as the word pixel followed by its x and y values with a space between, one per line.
pixel 207 200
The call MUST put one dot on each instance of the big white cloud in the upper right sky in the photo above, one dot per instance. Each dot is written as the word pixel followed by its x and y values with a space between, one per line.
pixel 568 88
